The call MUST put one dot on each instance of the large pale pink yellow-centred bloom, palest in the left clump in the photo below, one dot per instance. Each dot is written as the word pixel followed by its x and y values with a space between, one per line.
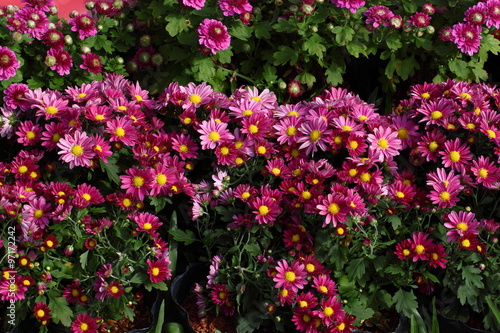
pixel 76 149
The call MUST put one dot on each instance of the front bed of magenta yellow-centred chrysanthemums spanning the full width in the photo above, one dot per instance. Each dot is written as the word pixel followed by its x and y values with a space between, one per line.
pixel 320 213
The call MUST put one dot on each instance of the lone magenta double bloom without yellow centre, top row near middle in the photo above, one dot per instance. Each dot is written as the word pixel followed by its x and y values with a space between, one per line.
pixel 213 35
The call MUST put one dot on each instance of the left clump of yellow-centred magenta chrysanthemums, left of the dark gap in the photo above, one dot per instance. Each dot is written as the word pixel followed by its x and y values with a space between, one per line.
pixel 83 248
